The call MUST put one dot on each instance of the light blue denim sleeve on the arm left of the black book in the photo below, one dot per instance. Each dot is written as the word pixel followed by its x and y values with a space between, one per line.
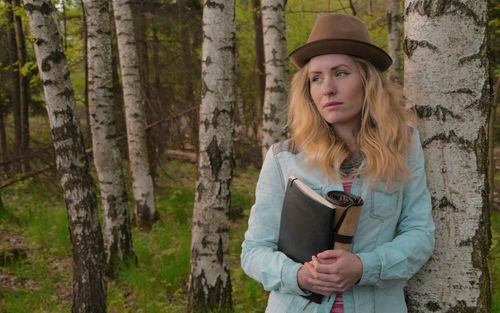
pixel 260 258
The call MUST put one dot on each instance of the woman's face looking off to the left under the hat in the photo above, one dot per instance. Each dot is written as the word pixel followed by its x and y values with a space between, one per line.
pixel 337 89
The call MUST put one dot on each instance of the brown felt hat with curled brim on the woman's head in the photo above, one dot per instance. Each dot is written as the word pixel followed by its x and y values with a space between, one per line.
pixel 340 34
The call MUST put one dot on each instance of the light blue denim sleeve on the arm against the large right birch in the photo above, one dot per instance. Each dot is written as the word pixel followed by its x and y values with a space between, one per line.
pixel 401 258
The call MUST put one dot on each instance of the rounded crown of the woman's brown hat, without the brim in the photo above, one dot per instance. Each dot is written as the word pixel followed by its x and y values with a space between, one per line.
pixel 339 26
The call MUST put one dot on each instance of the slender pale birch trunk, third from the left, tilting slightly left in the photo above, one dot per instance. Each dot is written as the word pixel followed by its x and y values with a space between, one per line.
pixel 142 184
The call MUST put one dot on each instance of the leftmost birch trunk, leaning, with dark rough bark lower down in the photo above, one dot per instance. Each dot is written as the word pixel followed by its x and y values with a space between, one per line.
pixel 89 288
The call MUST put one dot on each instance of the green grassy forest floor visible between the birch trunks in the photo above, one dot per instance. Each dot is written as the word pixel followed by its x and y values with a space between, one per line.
pixel 35 251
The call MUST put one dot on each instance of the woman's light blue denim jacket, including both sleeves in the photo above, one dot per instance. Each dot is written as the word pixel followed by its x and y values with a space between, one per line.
pixel 394 237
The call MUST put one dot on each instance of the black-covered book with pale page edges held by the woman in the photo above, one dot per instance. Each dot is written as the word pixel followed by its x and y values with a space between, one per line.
pixel 306 226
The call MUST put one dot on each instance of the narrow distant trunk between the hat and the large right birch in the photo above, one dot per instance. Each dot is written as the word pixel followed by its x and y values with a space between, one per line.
pixel 394 40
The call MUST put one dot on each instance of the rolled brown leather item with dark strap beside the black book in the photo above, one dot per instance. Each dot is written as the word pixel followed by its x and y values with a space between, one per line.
pixel 347 211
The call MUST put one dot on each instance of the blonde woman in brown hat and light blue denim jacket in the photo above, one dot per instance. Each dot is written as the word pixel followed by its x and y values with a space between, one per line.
pixel 350 132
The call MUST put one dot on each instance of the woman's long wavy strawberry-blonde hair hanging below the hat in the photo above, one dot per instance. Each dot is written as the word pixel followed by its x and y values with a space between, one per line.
pixel 384 136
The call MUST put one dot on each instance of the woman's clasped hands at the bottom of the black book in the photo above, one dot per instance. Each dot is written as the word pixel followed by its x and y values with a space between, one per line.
pixel 337 269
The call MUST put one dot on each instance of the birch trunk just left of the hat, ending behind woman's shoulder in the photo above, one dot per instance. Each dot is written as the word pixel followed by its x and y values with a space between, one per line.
pixel 275 100
